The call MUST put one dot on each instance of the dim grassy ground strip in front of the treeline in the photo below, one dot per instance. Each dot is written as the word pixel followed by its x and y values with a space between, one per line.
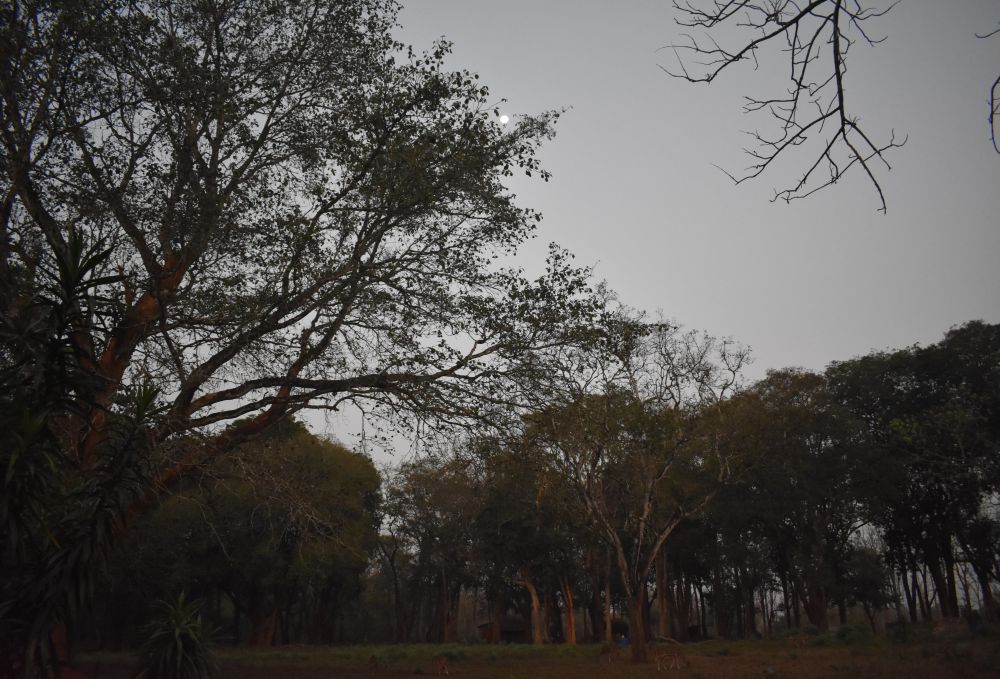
pixel 972 659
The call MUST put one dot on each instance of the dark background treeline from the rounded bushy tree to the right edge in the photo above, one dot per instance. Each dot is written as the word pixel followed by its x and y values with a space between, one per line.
pixel 874 484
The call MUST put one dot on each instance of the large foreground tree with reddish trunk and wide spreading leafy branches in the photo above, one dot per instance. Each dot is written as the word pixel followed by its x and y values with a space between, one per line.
pixel 220 210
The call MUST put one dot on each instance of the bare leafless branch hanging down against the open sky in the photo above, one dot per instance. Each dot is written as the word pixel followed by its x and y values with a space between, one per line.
pixel 816 36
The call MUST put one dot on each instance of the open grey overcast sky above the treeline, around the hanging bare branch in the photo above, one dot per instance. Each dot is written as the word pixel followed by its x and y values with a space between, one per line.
pixel 635 191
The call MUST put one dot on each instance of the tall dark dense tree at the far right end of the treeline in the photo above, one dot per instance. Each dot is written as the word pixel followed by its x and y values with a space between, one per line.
pixel 930 418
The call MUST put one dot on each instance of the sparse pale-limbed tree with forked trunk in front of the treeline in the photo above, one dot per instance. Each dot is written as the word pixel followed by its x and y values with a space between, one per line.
pixel 625 449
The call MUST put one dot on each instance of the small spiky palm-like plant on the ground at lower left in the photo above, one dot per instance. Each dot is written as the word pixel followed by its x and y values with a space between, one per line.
pixel 177 645
